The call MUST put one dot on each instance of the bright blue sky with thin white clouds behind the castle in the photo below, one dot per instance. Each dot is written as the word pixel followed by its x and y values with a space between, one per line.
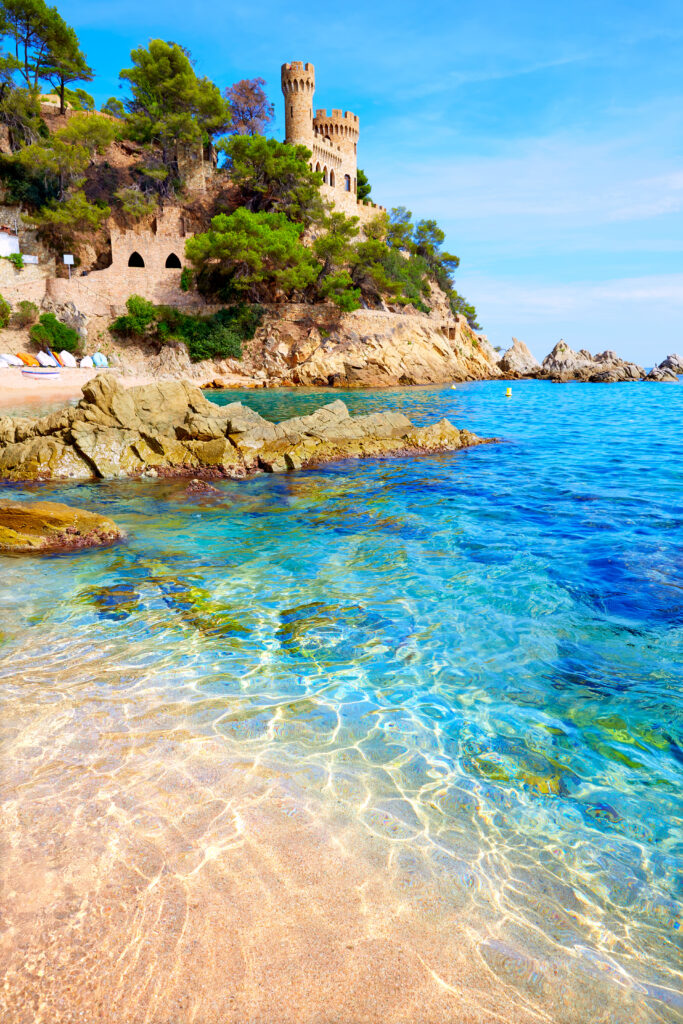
pixel 546 139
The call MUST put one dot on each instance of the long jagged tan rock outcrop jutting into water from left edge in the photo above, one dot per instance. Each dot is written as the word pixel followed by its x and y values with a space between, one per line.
pixel 172 430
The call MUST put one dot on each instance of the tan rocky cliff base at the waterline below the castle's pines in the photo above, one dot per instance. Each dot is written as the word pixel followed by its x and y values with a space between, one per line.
pixel 316 347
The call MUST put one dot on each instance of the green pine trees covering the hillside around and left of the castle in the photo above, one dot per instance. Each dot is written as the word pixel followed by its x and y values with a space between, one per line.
pixel 265 233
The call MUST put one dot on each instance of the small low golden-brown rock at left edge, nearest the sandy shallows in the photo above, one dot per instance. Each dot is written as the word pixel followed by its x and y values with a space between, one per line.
pixel 50 527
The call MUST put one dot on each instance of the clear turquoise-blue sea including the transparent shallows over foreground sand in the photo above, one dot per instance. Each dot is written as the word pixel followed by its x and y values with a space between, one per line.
pixel 401 738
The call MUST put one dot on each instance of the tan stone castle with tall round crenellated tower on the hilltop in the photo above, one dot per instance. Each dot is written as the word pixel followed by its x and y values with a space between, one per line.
pixel 333 140
